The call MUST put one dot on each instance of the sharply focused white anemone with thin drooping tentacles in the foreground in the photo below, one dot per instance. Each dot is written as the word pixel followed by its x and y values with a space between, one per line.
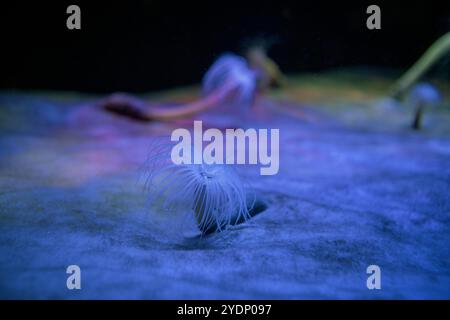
pixel 215 194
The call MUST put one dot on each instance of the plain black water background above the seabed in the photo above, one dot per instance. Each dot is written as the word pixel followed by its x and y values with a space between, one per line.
pixel 149 45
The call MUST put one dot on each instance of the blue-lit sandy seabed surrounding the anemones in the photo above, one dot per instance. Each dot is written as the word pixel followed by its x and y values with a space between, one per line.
pixel 356 187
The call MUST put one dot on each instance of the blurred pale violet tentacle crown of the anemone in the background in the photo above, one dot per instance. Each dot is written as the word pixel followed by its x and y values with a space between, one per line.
pixel 231 76
